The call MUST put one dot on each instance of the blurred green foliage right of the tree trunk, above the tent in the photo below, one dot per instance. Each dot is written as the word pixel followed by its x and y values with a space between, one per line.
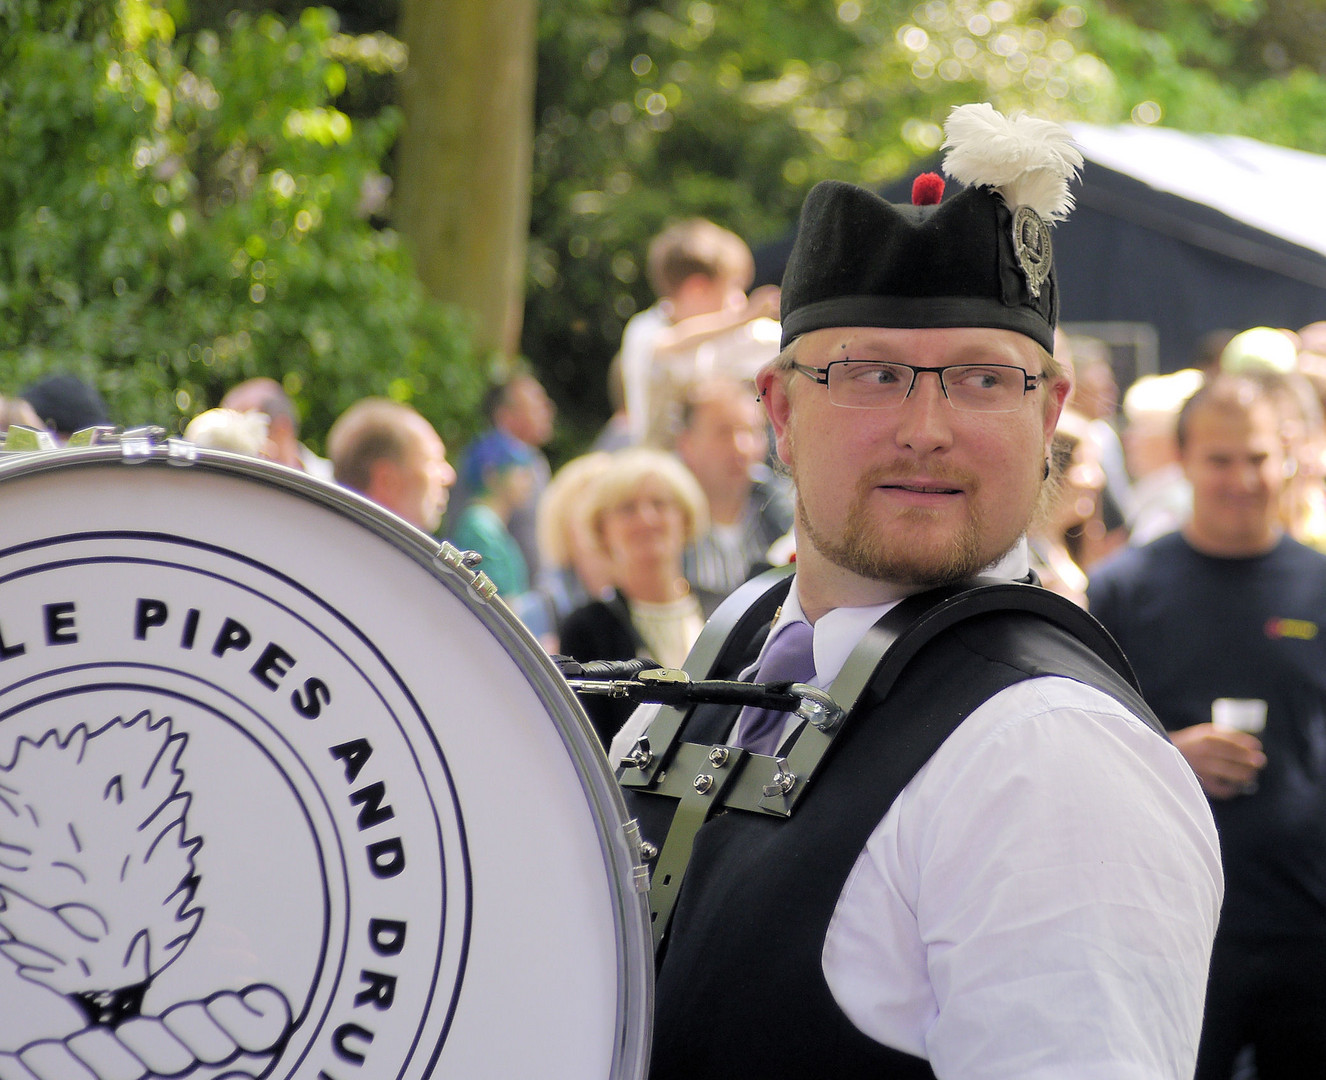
pixel 677 108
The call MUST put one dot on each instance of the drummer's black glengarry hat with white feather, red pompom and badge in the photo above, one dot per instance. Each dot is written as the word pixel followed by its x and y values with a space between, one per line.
pixel 982 258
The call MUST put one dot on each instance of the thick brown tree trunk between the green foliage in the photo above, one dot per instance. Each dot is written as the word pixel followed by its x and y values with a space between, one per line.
pixel 465 157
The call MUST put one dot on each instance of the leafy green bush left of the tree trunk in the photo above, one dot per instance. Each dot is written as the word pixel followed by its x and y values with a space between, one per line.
pixel 180 214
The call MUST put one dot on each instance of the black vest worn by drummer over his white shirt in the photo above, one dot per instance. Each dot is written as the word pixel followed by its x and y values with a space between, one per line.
pixel 741 985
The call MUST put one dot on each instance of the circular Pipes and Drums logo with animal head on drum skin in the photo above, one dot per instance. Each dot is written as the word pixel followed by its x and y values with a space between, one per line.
pixel 230 844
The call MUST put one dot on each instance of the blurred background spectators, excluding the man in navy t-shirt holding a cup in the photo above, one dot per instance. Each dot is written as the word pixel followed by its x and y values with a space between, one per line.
pixel 625 550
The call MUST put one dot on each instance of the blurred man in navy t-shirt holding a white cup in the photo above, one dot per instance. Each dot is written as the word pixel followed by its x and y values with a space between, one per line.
pixel 1223 626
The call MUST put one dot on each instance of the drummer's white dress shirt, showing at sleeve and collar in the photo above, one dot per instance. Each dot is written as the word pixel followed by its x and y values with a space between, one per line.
pixel 1042 899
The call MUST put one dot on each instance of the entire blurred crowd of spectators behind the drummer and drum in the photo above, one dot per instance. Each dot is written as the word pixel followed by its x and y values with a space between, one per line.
pixel 1173 502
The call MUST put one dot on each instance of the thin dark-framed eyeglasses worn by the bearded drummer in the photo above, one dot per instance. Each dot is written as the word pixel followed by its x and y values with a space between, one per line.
pixel 971 388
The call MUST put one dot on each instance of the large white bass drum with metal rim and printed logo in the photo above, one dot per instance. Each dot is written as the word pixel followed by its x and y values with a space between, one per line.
pixel 284 795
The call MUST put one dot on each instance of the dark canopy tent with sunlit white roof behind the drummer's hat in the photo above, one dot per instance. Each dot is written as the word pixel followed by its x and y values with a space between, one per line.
pixel 1174 238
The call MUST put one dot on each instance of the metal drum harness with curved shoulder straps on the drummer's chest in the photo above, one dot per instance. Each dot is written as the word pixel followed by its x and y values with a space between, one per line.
pixel 710 779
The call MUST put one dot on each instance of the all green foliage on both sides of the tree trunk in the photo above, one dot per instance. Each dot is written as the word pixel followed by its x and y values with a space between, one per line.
pixel 188 186
